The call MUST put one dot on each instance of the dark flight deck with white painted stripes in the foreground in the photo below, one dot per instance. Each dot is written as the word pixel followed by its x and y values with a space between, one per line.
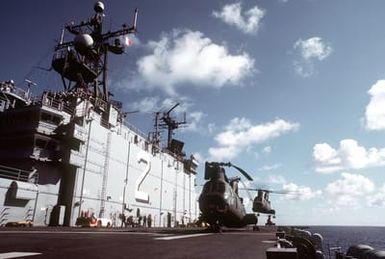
pixel 64 242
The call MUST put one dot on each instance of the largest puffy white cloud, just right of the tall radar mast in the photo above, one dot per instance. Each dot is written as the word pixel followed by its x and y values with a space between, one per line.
pixel 186 57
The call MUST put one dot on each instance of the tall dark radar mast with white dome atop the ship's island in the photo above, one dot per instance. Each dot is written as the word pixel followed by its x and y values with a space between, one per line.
pixel 84 59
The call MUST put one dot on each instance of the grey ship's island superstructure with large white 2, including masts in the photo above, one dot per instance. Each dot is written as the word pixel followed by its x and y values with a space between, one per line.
pixel 71 154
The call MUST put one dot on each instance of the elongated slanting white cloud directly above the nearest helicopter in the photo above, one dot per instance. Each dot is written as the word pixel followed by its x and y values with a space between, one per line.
pixel 241 134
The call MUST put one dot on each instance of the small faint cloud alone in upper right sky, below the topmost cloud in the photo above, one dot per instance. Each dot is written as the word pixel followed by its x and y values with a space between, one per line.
pixel 310 50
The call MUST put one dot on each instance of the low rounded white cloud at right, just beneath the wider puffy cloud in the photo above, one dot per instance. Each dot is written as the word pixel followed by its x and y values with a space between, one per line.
pixel 346 191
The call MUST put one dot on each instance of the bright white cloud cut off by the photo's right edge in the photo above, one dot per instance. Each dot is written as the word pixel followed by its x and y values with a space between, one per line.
pixel 375 111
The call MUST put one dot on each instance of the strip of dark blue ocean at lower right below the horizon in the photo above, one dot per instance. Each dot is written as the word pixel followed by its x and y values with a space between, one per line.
pixel 345 236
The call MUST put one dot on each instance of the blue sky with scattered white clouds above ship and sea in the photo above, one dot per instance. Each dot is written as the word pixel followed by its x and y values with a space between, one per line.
pixel 291 90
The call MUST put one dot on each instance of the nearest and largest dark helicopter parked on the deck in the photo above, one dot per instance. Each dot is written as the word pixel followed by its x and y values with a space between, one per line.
pixel 219 201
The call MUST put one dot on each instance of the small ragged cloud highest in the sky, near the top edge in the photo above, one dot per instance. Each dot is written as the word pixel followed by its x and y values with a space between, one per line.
pixel 248 22
